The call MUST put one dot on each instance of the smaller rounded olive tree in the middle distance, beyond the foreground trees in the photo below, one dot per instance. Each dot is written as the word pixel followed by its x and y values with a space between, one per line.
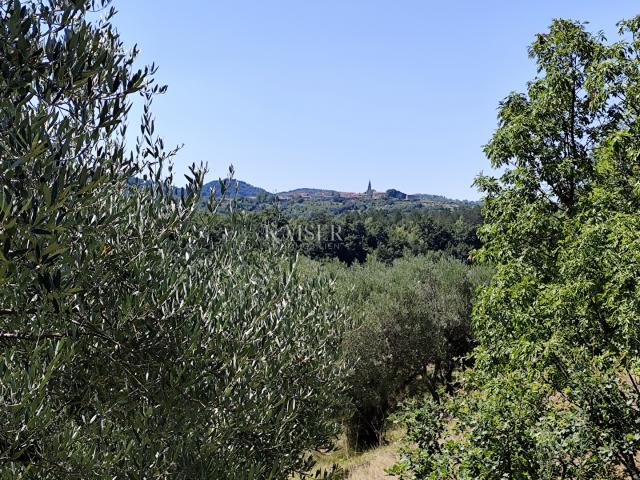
pixel 411 327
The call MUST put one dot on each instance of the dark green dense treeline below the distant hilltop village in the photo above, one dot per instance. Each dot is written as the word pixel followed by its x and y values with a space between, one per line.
pixel 354 237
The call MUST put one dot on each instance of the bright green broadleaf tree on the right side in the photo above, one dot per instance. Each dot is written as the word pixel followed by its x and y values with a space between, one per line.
pixel 554 393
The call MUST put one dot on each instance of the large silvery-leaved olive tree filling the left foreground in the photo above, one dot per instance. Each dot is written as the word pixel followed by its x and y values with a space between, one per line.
pixel 135 342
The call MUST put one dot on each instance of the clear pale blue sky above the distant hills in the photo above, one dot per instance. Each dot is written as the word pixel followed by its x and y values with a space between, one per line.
pixel 332 93
